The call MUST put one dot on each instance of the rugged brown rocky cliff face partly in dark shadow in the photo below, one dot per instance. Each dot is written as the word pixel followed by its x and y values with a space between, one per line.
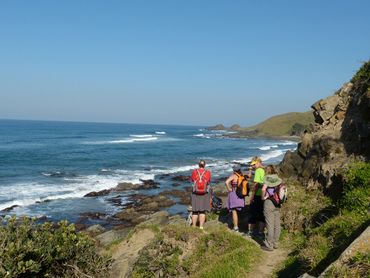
pixel 341 132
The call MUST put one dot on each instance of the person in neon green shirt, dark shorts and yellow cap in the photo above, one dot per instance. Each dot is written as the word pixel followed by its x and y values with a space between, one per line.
pixel 256 222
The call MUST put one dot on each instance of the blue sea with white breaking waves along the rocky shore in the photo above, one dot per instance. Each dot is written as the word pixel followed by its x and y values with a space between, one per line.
pixel 47 167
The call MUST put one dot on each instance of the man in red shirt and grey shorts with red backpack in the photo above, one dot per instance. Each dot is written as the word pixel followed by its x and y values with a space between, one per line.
pixel 201 195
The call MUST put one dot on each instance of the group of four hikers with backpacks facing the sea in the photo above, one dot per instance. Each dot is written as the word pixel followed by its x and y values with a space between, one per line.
pixel 266 190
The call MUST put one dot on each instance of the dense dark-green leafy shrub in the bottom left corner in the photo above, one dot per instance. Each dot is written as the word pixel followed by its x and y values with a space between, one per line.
pixel 48 250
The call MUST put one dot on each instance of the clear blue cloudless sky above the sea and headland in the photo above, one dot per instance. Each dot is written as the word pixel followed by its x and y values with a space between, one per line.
pixel 176 62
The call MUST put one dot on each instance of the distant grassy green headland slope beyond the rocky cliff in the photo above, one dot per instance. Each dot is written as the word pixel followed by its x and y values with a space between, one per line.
pixel 281 125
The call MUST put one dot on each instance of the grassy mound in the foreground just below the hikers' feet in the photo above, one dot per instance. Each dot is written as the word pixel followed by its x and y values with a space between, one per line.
pixel 184 251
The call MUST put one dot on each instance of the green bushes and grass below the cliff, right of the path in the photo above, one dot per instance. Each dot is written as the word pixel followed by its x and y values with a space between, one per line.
pixel 333 225
